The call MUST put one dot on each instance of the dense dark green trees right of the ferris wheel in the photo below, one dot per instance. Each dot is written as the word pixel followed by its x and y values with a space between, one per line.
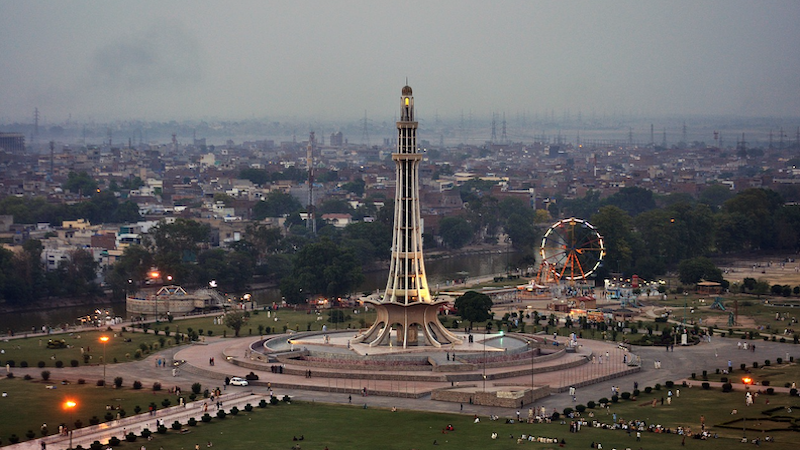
pixel 648 235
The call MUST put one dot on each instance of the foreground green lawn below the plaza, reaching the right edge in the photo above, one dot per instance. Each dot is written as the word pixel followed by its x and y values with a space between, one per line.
pixel 352 427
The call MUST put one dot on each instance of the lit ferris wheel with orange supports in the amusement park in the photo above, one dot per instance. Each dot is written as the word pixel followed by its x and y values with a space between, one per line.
pixel 571 249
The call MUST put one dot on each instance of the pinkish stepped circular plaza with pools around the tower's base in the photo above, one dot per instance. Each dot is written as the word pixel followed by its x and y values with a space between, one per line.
pixel 494 369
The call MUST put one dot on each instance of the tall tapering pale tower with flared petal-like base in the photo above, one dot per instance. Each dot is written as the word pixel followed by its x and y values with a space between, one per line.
pixel 407 306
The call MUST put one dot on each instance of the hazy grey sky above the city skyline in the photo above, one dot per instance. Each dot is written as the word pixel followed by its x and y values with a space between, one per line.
pixel 162 60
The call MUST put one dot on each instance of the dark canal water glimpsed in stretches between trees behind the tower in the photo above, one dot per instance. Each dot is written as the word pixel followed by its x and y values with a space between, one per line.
pixel 441 272
